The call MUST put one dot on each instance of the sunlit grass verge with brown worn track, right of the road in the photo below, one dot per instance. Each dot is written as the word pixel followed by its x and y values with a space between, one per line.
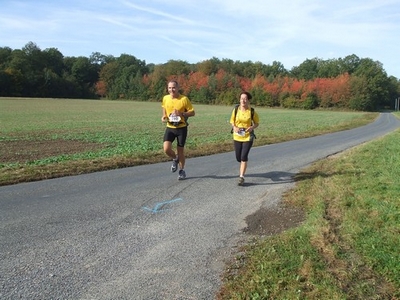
pixel 348 245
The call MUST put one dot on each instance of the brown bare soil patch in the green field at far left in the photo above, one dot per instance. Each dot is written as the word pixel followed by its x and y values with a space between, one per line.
pixel 23 151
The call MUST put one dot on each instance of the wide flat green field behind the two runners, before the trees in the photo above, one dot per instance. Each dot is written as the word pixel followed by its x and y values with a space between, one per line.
pixel 47 138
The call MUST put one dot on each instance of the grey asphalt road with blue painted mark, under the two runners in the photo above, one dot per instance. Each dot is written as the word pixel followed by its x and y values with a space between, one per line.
pixel 139 233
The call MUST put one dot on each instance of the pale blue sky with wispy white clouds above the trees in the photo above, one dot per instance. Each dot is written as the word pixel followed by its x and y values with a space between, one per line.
pixel 287 31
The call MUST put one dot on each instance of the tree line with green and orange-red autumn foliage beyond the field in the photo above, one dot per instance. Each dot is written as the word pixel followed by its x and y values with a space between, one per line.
pixel 345 83
